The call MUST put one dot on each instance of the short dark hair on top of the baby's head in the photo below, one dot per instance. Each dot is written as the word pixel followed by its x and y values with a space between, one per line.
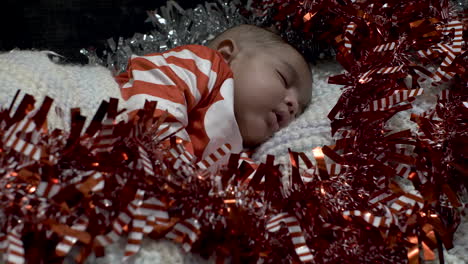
pixel 249 34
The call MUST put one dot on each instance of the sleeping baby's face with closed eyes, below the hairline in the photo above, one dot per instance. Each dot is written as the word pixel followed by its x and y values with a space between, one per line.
pixel 272 87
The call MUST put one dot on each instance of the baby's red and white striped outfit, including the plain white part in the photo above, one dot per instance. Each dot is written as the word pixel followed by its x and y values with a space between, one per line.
pixel 195 85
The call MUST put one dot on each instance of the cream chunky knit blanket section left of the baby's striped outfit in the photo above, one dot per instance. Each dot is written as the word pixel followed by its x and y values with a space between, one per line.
pixel 70 86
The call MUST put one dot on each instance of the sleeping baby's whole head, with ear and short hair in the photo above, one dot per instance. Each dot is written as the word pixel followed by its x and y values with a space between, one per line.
pixel 272 81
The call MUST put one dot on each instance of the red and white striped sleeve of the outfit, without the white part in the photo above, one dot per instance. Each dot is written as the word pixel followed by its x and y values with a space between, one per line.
pixel 179 80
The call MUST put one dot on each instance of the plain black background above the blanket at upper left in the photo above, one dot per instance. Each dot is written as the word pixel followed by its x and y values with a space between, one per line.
pixel 66 26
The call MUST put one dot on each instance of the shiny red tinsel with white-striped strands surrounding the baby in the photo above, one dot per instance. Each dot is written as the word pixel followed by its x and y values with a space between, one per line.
pixel 88 187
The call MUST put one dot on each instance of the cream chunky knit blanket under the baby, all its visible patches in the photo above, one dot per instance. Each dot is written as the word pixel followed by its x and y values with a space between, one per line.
pixel 86 86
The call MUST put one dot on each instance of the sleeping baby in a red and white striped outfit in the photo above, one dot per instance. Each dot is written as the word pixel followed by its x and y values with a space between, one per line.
pixel 246 85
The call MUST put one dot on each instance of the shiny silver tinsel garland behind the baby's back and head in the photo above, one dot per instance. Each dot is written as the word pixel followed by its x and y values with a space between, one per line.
pixel 173 26
